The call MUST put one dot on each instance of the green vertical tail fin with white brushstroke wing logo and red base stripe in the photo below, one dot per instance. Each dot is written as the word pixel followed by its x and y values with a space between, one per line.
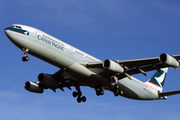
pixel 157 80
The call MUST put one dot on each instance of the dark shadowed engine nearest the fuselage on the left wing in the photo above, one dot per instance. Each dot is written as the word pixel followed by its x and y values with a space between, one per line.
pixel 47 80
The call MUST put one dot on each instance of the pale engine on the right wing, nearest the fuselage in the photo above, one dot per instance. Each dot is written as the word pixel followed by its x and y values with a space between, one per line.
pixel 112 66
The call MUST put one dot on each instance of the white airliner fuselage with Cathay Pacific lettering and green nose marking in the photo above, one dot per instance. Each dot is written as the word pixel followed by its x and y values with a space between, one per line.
pixel 66 57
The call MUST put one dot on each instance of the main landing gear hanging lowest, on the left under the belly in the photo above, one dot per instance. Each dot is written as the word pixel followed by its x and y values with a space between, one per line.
pixel 78 94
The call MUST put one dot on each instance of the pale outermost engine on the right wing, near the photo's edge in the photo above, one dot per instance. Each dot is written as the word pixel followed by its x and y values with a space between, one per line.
pixel 168 60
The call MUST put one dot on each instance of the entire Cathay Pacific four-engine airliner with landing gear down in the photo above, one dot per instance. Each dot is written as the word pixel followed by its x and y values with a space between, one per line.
pixel 78 68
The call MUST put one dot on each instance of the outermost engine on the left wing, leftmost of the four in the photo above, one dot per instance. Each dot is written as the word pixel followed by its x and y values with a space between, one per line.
pixel 33 87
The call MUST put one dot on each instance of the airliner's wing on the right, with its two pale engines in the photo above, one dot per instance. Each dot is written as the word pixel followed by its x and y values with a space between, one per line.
pixel 134 66
